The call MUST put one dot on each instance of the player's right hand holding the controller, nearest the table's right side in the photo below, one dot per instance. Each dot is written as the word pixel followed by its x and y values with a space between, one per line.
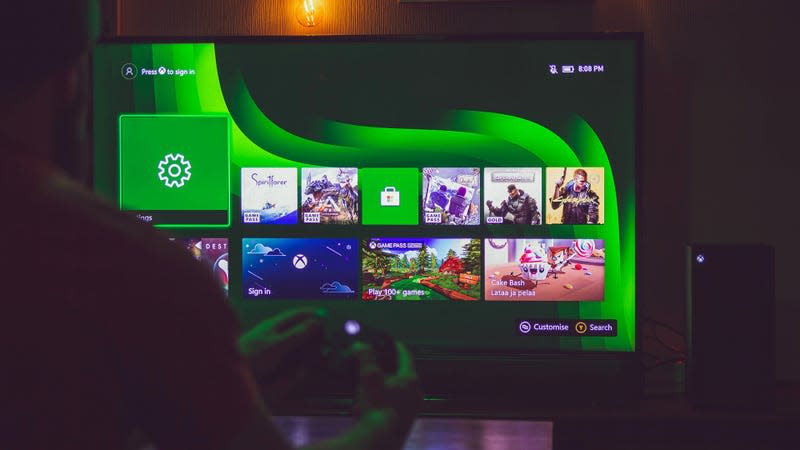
pixel 396 395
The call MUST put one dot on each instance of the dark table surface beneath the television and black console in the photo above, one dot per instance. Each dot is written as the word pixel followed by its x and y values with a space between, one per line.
pixel 658 423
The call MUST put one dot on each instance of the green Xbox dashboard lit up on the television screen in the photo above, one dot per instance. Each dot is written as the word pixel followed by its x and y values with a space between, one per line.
pixel 487 186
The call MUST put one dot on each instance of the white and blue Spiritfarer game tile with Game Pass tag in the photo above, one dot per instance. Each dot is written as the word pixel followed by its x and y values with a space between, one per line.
pixel 269 196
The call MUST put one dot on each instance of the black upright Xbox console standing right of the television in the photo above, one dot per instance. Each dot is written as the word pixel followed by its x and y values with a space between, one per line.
pixel 731 326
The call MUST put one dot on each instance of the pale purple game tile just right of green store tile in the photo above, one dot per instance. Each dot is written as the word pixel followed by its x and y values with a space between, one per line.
pixel 451 196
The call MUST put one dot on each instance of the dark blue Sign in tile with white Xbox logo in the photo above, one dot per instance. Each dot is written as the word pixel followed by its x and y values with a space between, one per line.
pixel 300 268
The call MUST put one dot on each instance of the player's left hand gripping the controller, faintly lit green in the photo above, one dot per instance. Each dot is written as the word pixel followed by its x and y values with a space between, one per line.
pixel 268 345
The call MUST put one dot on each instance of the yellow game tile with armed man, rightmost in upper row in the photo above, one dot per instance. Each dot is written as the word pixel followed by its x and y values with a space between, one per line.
pixel 579 200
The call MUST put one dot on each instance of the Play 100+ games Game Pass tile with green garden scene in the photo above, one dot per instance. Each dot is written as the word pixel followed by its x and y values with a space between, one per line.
pixel 421 269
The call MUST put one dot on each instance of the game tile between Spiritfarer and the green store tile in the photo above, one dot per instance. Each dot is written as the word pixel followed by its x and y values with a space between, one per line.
pixel 330 195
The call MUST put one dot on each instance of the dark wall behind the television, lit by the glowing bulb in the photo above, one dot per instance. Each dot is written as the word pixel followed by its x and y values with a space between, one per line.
pixel 715 111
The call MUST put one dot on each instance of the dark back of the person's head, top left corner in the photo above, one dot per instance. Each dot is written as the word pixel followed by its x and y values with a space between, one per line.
pixel 44 91
